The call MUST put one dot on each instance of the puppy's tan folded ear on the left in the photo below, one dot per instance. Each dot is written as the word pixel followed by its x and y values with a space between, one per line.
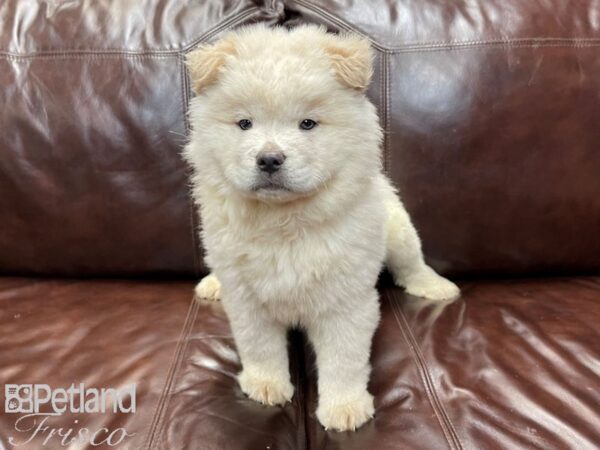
pixel 205 62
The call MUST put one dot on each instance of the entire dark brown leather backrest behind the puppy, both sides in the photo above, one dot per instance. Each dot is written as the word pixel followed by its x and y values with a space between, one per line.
pixel 489 110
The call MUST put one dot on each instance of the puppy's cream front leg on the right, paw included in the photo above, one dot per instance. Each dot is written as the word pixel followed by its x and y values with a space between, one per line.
pixel 342 342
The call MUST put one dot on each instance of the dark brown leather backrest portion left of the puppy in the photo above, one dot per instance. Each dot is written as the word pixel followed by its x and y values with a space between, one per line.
pixel 92 124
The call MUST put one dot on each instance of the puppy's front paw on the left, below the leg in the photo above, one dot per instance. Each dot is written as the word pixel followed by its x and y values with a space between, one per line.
pixel 266 390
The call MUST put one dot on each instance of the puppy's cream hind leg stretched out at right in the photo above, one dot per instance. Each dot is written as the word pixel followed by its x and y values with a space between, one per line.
pixel 405 260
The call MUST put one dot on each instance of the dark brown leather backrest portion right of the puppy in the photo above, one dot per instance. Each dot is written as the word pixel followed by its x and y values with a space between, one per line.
pixel 490 110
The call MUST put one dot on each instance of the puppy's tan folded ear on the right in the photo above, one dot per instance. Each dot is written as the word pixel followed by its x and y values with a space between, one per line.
pixel 352 59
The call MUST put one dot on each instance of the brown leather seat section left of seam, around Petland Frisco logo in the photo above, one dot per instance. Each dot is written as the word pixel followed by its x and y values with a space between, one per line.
pixel 100 333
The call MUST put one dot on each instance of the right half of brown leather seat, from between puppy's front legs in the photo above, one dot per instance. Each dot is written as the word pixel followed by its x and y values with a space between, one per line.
pixel 513 364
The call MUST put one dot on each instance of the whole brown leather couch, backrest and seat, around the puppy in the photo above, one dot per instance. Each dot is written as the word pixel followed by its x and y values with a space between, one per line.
pixel 491 113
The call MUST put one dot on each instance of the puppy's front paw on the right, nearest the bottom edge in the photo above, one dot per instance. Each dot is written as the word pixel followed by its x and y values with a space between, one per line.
pixel 344 414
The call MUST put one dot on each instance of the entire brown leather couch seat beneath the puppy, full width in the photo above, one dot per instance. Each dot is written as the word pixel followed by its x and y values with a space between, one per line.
pixel 512 365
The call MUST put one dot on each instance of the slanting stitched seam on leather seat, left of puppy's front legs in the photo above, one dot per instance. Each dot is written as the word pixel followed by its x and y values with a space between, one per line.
pixel 157 423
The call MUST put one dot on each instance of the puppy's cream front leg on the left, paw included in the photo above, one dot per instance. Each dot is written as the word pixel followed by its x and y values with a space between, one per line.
pixel 262 345
